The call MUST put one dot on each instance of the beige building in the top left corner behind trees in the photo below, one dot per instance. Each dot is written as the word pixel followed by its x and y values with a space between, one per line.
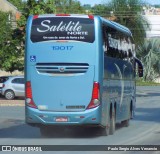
pixel 14 14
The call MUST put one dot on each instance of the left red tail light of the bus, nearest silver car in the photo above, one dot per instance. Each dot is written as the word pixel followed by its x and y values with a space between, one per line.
pixel 29 98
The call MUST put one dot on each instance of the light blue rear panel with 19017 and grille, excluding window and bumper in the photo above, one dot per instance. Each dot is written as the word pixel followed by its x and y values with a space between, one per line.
pixel 68 86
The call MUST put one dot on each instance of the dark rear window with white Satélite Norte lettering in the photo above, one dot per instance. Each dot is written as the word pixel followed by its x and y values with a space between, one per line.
pixel 62 28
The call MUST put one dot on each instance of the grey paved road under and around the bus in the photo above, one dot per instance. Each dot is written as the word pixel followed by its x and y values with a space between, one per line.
pixel 144 129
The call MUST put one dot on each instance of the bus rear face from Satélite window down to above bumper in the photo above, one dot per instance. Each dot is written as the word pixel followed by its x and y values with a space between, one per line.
pixel 63 66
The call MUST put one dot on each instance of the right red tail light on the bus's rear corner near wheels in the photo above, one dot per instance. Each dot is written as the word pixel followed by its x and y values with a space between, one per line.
pixel 95 96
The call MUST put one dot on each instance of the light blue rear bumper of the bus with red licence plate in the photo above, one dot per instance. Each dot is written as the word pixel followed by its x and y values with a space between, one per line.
pixel 87 117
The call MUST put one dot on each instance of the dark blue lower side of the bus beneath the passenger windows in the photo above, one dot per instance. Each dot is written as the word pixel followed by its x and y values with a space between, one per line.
pixel 118 87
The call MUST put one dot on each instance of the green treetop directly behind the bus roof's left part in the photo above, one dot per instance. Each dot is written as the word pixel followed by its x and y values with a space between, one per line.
pixel 48 7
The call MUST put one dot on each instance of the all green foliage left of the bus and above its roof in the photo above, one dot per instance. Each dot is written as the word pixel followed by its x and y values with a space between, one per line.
pixel 12 41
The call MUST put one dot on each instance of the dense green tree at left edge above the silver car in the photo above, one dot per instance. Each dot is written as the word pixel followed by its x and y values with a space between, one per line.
pixel 9 47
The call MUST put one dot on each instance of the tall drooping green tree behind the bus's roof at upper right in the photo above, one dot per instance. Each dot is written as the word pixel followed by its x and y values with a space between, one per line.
pixel 128 13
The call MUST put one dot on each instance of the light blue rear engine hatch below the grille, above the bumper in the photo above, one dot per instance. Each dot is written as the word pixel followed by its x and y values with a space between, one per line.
pixel 62 93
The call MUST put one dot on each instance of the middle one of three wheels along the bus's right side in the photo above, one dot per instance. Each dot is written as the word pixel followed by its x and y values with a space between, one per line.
pixel 112 123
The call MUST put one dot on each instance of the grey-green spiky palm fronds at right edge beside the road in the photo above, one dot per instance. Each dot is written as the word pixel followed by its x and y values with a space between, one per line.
pixel 150 55
